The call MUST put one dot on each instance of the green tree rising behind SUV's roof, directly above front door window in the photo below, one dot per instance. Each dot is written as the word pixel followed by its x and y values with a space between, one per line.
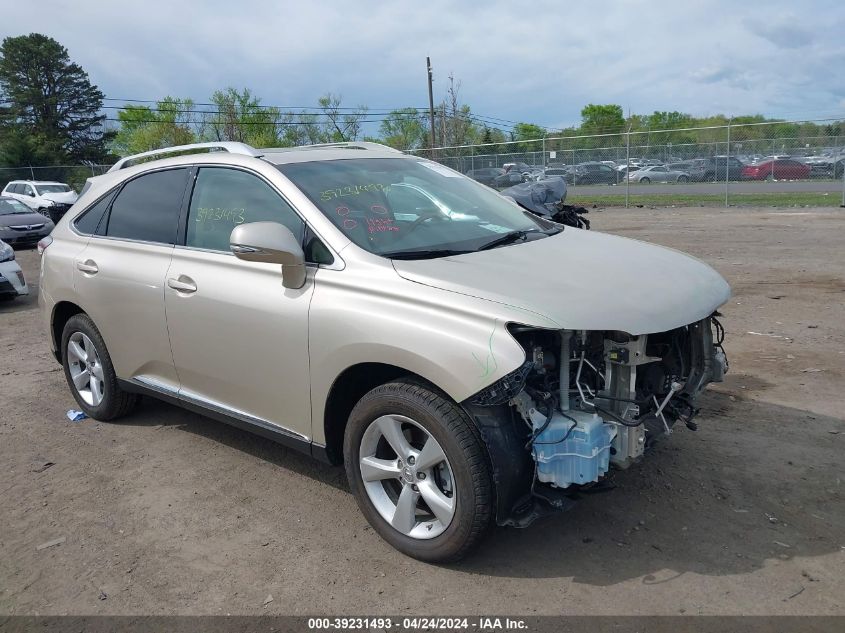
pixel 239 116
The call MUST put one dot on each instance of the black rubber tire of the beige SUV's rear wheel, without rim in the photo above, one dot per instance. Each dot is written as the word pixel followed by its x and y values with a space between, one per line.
pixel 116 402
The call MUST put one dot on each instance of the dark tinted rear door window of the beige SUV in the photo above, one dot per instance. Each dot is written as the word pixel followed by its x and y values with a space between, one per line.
pixel 147 208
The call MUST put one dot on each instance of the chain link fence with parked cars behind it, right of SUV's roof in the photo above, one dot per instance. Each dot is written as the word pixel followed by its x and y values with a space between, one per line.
pixel 794 163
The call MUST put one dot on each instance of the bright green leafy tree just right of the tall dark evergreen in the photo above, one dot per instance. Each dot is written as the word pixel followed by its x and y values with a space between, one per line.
pixel 143 128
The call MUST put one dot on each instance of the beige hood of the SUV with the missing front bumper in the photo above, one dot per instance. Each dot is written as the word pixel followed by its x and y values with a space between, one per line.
pixel 583 280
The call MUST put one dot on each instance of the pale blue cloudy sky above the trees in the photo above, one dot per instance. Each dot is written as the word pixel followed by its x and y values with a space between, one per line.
pixel 535 61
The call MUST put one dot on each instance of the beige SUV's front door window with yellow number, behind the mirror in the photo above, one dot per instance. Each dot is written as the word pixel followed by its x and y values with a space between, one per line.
pixel 224 198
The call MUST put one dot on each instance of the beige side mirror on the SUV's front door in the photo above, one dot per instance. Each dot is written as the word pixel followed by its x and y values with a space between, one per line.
pixel 270 243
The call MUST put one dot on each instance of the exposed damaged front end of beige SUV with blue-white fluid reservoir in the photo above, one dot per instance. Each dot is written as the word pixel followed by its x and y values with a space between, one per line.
pixel 585 401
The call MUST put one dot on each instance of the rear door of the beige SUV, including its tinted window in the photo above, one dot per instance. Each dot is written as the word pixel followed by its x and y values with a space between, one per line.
pixel 120 275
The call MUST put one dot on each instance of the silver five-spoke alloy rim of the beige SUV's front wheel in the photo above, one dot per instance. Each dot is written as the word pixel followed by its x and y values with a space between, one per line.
pixel 407 477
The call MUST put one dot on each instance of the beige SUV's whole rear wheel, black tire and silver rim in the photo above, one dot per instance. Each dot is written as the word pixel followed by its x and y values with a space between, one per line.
pixel 89 371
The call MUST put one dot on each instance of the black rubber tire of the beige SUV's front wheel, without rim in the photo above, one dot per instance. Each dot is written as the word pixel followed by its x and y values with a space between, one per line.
pixel 447 423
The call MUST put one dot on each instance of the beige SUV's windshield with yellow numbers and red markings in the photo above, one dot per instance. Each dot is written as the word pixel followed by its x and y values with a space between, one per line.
pixel 390 206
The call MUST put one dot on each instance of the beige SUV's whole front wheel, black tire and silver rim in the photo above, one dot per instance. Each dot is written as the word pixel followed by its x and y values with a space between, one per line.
pixel 419 471
